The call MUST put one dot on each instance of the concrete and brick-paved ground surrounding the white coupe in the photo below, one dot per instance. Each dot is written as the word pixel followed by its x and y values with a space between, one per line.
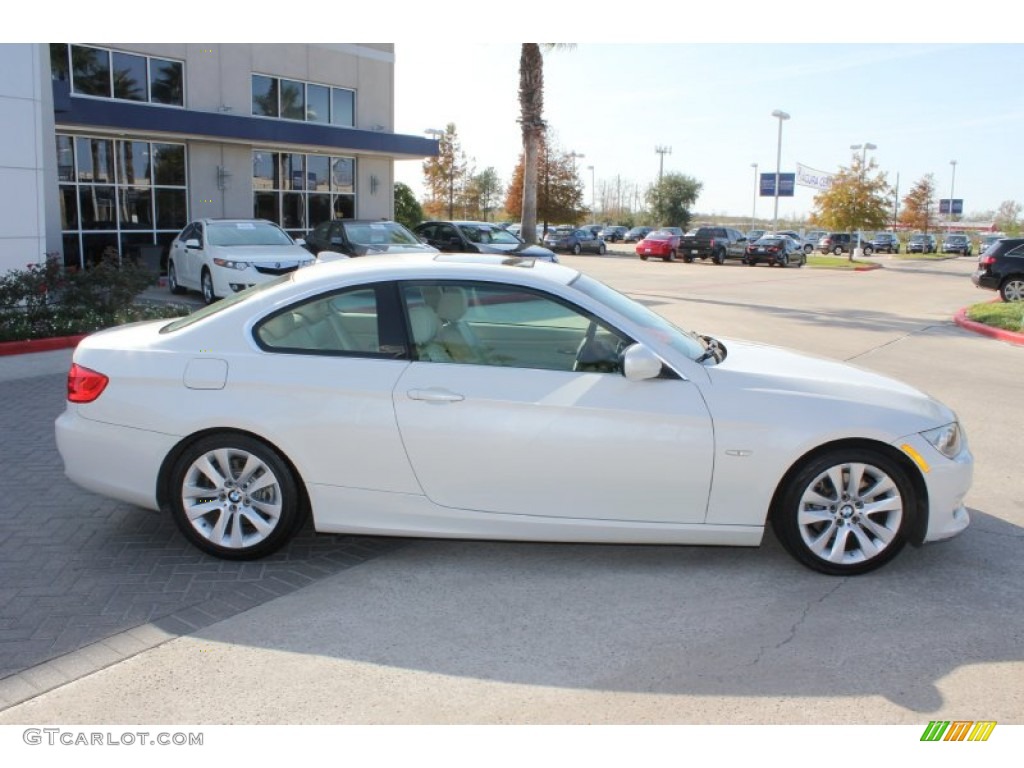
pixel 473 632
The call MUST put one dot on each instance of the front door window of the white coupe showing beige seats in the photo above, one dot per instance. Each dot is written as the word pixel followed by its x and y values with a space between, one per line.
pixel 507 326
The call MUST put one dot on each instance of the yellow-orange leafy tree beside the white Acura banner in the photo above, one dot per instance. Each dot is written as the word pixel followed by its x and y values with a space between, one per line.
pixel 859 199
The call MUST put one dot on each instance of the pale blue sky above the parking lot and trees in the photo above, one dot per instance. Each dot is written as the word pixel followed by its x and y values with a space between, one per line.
pixel 922 104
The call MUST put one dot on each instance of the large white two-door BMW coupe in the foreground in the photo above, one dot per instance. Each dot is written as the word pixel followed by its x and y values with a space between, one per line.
pixel 481 397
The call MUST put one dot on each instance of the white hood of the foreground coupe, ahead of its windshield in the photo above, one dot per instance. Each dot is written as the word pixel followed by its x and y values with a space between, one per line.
pixel 826 390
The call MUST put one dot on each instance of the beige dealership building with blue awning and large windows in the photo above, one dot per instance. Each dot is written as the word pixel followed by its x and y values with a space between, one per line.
pixel 115 148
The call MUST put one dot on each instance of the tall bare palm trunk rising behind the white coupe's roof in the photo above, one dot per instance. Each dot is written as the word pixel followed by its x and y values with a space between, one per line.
pixel 532 121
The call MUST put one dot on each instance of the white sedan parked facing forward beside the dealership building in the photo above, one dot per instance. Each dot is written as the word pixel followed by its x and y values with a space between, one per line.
pixel 222 258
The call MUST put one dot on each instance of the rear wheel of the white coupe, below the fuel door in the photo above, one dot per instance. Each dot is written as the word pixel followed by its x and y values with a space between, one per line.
pixel 239 524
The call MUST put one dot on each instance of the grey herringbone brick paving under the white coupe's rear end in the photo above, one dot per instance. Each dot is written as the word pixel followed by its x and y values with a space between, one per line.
pixel 86 582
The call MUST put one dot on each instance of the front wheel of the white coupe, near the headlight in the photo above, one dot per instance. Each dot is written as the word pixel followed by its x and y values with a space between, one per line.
pixel 825 528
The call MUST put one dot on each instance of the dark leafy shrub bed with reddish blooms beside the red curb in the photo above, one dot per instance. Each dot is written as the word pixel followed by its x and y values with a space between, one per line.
pixel 47 301
